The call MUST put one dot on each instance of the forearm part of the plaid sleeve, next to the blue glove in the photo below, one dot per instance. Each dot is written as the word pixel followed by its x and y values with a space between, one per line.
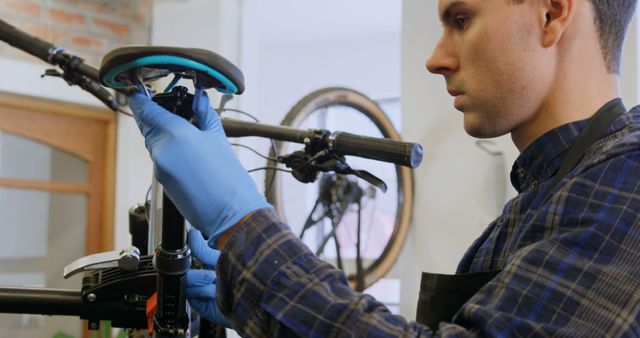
pixel 271 285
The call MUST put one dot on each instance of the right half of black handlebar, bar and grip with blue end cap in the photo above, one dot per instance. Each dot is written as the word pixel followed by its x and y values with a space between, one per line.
pixel 381 149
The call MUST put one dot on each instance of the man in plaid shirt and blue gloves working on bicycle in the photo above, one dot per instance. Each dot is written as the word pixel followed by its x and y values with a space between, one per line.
pixel 565 254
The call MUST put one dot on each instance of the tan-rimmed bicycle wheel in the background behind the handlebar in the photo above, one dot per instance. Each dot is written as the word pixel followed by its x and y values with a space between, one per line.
pixel 344 220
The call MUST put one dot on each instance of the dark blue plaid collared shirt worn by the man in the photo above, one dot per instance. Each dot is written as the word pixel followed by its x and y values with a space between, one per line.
pixel 570 266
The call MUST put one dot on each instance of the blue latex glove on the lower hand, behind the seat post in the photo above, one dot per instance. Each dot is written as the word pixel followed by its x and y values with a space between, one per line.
pixel 201 287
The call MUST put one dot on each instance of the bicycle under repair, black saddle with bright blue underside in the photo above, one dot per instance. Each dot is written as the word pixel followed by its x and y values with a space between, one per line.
pixel 126 287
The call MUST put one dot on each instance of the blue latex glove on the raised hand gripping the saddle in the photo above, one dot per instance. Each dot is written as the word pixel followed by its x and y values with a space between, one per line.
pixel 197 167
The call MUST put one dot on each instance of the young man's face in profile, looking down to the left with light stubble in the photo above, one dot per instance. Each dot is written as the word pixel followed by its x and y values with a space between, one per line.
pixel 491 57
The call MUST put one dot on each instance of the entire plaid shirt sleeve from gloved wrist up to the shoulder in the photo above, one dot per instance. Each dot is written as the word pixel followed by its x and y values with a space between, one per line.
pixel 582 280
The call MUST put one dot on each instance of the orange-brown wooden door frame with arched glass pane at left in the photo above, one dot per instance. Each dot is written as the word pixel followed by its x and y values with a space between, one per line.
pixel 85 131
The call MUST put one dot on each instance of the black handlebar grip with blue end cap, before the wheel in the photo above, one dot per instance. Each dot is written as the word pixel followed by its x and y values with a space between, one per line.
pixel 381 149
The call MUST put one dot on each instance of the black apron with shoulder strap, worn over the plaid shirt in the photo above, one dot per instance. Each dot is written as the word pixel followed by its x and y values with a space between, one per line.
pixel 441 296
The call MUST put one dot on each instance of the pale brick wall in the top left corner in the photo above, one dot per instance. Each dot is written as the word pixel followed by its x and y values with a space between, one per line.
pixel 87 28
